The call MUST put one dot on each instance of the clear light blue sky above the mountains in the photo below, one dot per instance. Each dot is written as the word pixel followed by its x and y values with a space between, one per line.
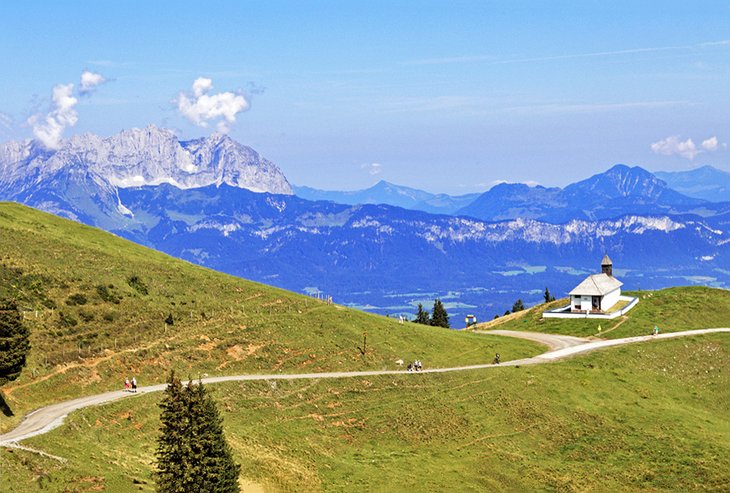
pixel 445 96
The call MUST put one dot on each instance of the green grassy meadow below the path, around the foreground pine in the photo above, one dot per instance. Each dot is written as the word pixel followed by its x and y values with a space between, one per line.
pixel 646 417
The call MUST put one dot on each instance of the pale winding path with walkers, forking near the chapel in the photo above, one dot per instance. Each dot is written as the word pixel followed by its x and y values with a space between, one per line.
pixel 47 418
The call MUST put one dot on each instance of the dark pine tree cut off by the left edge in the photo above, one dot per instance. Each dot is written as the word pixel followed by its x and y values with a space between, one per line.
pixel 14 342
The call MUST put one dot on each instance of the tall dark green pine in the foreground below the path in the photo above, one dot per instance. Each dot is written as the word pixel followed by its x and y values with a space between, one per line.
pixel 192 453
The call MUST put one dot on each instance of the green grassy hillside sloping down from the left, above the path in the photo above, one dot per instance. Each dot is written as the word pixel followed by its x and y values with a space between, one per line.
pixel 97 305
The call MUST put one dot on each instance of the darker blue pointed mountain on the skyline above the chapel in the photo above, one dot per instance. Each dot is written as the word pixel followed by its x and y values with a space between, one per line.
pixel 620 190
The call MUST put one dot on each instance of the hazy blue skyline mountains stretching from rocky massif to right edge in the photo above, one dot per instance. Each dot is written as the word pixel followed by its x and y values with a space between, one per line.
pixel 621 189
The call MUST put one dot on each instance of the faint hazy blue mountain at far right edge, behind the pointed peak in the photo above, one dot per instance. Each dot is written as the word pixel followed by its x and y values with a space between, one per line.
pixel 704 183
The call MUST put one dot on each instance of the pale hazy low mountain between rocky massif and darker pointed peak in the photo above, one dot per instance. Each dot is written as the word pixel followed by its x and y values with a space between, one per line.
pixel 391 194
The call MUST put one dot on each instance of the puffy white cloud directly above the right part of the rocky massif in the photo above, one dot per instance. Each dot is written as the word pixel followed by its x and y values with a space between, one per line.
pixel 201 107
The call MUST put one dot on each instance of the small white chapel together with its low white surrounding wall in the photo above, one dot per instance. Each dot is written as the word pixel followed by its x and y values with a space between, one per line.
pixel 597 296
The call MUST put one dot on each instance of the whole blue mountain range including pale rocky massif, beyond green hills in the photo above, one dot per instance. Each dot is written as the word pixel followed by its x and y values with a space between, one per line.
pixel 220 204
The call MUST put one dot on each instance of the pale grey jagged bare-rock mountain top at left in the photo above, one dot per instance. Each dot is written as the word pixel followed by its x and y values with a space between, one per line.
pixel 148 156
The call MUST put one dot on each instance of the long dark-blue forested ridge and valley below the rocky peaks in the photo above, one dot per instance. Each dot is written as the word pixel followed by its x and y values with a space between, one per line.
pixel 382 256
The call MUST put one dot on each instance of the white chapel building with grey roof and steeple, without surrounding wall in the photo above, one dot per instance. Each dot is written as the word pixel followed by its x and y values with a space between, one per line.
pixel 598 292
